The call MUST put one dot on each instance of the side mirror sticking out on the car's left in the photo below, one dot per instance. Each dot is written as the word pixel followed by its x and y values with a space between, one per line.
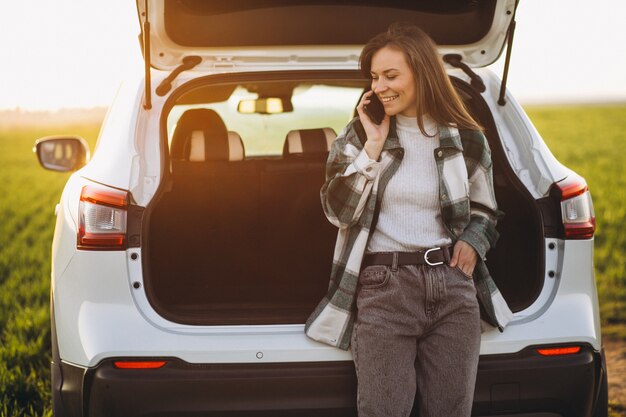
pixel 62 153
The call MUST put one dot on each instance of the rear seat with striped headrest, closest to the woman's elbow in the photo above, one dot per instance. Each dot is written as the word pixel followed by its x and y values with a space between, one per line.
pixel 293 213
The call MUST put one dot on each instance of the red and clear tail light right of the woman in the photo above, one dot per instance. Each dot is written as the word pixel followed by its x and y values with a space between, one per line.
pixel 579 221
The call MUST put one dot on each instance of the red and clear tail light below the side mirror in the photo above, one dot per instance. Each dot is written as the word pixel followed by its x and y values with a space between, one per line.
pixel 102 218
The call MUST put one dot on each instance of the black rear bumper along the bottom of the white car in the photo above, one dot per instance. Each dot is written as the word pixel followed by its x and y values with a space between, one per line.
pixel 522 384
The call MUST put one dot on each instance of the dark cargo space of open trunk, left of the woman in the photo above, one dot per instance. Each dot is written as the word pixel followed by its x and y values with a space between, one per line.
pixel 253 249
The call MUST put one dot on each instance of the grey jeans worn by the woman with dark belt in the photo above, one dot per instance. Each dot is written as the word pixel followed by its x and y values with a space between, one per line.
pixel 416 338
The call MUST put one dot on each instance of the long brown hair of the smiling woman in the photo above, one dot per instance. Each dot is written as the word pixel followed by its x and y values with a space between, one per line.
pixel 436 95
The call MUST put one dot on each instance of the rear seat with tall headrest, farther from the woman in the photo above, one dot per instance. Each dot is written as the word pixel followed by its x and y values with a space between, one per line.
pixel 215 195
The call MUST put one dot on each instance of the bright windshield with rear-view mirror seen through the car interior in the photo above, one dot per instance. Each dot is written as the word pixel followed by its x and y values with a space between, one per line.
pixel 264 113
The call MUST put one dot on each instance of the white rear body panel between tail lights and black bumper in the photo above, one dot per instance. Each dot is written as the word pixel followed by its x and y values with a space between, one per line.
pixel 100 314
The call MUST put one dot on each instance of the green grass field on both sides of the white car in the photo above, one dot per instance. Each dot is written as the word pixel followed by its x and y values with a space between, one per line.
pixel 591 140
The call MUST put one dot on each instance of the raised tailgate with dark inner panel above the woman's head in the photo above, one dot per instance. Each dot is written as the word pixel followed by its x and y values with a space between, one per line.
pixel 334 34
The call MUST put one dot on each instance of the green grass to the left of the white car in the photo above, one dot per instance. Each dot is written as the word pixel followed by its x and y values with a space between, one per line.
pixel 28 195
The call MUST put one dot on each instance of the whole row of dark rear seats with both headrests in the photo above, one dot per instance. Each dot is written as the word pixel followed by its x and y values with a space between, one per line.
pixel 246 230
